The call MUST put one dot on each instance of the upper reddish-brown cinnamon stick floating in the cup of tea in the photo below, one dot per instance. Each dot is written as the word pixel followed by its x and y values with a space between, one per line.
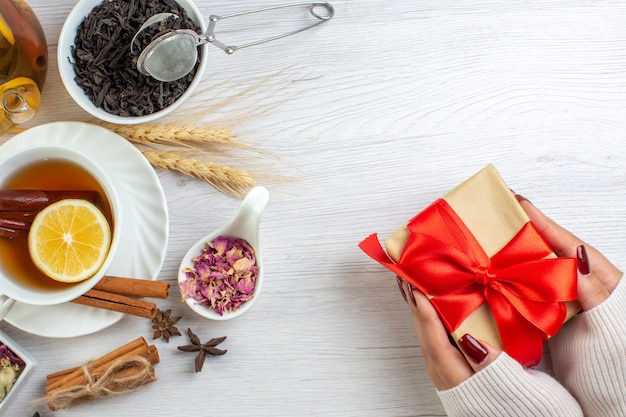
pixel 35 200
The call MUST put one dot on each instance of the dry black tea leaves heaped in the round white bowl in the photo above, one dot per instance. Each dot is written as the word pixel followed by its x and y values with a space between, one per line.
pixel 105 67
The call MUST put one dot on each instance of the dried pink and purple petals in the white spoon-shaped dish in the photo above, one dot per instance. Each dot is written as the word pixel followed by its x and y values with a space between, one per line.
pixel 224 275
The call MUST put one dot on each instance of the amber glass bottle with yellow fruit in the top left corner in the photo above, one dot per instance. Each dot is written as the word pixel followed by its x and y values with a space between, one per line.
pixel 23 63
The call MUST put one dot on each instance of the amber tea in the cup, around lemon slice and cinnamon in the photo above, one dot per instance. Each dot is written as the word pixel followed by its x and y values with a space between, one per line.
pixel 50 174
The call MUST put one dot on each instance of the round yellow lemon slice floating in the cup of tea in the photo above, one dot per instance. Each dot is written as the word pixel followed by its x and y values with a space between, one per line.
pixel 69 240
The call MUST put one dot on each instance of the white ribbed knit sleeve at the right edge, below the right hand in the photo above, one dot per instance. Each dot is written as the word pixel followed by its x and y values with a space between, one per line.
pixel 589 357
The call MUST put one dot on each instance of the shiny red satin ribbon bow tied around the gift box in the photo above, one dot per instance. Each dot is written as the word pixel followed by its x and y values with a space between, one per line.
pixel 525 291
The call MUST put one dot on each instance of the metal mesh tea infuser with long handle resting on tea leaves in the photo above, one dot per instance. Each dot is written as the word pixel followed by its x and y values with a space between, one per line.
pixel 173 55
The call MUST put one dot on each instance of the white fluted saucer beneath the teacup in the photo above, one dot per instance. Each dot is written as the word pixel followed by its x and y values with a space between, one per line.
pixel 144 236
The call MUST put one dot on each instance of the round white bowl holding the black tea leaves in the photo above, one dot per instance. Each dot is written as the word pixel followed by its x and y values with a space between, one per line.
pixel 66 68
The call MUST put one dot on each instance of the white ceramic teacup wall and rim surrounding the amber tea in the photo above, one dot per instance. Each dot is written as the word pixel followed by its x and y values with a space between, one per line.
pixel 14 288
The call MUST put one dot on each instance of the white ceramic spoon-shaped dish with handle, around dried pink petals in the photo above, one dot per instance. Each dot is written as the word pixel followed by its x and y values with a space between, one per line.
pixel 244 225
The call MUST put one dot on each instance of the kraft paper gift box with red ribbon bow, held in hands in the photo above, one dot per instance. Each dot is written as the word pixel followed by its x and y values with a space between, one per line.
pixel 485 268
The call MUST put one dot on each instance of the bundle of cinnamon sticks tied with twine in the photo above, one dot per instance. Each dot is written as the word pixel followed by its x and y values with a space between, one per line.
pixel 120 371
